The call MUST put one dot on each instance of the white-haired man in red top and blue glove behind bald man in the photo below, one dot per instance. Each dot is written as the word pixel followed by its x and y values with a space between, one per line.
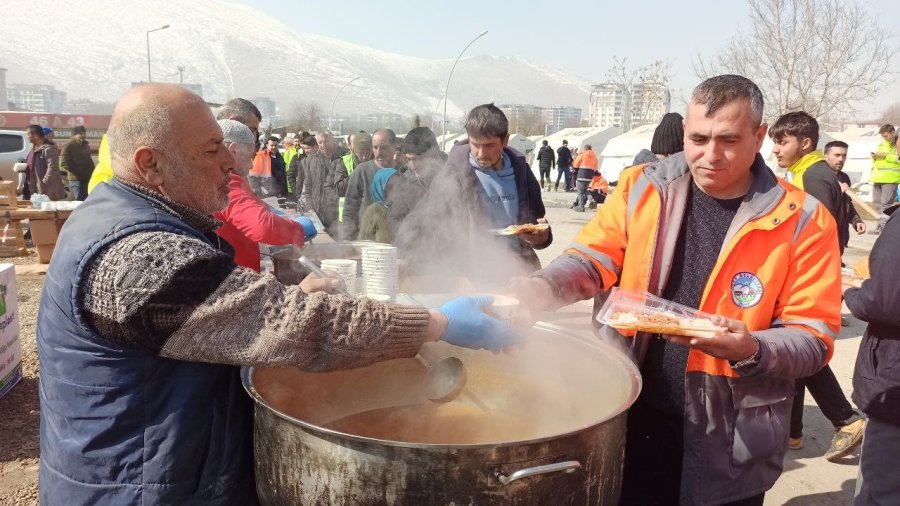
pixel 248 221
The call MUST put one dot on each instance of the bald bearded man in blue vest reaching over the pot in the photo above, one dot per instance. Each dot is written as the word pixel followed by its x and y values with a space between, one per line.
pixel 144 317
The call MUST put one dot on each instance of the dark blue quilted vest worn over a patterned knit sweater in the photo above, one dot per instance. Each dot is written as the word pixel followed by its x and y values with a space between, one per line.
pixel 120 426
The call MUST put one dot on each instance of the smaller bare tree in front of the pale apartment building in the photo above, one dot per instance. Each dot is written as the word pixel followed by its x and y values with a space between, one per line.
pixel 646 90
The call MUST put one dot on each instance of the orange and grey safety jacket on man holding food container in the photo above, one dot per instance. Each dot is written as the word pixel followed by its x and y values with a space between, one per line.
pixel 778 272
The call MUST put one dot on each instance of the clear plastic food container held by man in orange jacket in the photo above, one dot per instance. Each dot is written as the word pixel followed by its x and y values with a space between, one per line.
pixel 643 312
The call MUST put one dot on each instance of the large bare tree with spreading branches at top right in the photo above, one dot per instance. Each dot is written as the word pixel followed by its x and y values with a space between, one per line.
pixel 819 56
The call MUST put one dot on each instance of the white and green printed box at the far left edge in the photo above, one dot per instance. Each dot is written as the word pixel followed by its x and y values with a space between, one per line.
pixel 10 345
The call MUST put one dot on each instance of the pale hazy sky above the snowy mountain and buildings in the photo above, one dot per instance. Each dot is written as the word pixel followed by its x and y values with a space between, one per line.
pixel 581 36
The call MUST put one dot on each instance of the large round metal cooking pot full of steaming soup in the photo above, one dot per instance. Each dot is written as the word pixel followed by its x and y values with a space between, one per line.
pixel 554 432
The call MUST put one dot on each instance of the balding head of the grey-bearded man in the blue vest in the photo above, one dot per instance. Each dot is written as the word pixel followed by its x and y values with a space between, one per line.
pixel 165 138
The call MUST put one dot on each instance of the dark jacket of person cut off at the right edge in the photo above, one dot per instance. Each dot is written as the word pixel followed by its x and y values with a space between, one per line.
pixel 876 379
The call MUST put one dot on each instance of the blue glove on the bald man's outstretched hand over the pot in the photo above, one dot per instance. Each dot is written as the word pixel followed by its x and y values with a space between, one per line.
pixel 468 326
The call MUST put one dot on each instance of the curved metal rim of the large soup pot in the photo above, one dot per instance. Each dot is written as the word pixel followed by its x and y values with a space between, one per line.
pixel 620 357
